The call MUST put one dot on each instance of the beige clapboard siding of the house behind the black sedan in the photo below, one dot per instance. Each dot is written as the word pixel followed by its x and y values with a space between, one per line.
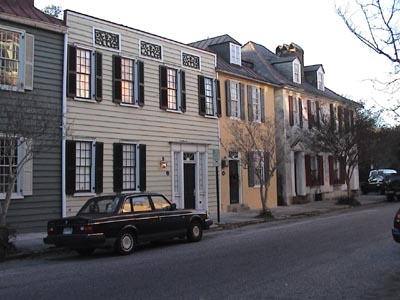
pixel 110 123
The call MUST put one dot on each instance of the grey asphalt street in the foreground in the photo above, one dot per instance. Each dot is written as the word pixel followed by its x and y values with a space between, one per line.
pixel 343 255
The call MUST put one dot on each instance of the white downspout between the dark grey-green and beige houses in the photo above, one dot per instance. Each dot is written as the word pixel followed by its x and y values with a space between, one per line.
pixel 64 128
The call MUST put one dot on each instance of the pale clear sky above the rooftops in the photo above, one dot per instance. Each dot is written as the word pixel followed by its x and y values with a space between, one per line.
pixel 312 24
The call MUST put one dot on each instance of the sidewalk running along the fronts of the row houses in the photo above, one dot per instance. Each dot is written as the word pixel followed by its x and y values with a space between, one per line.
pixel 32 243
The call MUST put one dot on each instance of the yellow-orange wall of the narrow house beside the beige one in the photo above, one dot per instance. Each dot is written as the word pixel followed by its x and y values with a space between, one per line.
pixel 250 196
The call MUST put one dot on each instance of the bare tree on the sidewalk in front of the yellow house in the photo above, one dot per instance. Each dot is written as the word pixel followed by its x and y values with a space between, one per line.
pixel 257 145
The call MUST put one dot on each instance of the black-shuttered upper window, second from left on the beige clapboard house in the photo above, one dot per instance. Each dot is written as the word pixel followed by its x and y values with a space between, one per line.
pixel 128 81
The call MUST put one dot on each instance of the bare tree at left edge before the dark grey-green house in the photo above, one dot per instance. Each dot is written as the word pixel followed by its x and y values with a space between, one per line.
pixel 29 125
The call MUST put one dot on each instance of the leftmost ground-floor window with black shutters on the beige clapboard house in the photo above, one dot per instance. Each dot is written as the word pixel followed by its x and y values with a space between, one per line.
pixel 84 167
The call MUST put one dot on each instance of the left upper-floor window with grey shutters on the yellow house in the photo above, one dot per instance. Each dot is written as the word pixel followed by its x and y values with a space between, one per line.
pixel 235 99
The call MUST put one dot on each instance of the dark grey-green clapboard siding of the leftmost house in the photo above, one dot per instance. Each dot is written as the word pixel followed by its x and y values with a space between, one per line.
pixel 32 212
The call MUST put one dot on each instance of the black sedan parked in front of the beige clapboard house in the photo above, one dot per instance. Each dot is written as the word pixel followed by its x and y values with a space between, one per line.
pixel 123 221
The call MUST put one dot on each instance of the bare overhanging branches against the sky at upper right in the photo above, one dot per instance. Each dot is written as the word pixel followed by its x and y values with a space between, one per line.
pixel 376 24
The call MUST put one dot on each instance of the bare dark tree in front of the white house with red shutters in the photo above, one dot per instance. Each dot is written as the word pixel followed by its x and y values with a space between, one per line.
pixel 344 139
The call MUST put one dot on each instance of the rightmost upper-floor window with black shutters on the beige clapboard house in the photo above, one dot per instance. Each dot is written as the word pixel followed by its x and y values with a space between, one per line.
pixel 209 96
